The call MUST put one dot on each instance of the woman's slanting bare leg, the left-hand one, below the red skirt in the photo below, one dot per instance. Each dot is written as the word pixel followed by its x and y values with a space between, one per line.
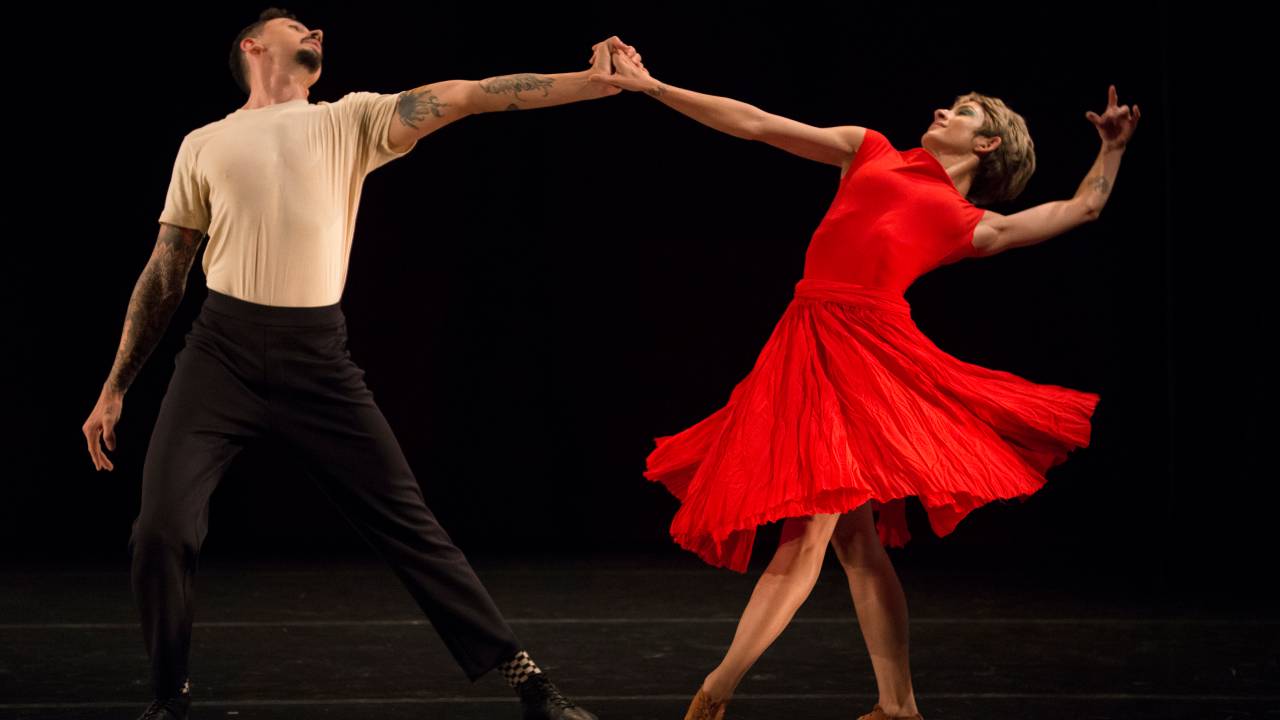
pixel 779 594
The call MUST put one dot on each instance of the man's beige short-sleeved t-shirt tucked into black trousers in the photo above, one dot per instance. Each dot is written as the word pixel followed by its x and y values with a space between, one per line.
pixel 277 192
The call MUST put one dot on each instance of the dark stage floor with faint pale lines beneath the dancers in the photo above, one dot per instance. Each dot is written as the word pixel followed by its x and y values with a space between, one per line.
pixel 632 637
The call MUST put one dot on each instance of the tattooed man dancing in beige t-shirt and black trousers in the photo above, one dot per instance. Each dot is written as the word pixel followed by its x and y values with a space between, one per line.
pixel 276 186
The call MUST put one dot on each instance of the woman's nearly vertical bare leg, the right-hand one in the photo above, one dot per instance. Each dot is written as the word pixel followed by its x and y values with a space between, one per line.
pixel 881 608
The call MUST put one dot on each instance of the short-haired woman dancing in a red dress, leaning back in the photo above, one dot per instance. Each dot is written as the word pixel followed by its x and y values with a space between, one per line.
pixel 851 409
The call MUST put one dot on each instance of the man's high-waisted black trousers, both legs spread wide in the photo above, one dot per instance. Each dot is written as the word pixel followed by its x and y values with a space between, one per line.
pixel 252 373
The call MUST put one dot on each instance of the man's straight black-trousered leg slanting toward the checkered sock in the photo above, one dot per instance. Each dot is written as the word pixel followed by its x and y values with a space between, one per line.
pixel 331 421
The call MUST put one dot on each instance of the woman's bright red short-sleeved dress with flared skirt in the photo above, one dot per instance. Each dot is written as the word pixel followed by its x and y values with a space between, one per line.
pixel 849 402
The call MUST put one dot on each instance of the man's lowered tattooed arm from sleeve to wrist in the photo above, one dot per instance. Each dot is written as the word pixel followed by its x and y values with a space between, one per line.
pixel 156 299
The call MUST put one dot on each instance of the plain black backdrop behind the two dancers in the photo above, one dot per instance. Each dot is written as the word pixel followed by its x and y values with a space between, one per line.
pixel 537 295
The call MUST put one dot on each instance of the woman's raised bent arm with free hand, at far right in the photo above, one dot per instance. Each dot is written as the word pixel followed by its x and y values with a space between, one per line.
pixel 996 233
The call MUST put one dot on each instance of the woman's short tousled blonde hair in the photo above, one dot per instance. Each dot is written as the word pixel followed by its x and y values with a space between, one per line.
pixel 1004 172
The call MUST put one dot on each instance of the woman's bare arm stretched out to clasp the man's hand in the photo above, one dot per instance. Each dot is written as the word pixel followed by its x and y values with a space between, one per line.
pixel 834 147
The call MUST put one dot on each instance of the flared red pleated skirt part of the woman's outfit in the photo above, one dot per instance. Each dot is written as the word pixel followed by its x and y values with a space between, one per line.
pixel 851 403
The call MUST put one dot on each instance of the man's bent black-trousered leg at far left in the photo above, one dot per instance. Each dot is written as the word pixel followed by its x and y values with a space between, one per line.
pixel 207 418
